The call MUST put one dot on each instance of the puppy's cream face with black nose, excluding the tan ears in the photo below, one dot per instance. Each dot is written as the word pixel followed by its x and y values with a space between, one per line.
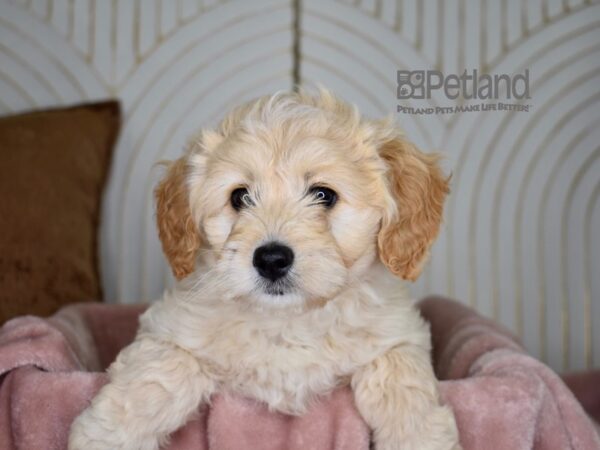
pixel 288 221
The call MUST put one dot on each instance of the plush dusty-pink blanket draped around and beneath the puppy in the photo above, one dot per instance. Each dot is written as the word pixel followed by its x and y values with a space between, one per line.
pixel 502 398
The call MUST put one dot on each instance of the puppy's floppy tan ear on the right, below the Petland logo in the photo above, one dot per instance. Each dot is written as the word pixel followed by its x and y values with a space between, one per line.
pixel 419 189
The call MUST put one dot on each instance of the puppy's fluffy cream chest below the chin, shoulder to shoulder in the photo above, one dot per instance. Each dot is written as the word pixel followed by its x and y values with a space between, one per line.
pixel 286 362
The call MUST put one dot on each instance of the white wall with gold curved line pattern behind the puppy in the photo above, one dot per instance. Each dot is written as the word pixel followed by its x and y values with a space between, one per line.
pixel 521 240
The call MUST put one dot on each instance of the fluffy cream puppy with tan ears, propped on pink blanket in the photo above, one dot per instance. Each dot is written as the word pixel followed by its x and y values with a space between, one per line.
pixel 283 222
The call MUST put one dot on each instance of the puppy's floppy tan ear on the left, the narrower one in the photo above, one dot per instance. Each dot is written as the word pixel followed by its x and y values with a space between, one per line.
pixel 177 230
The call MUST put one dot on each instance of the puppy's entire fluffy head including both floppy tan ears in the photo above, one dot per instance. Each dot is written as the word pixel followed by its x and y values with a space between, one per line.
pixel 295 197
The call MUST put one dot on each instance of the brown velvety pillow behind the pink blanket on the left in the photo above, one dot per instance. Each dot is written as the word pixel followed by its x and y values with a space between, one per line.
pixel 53 165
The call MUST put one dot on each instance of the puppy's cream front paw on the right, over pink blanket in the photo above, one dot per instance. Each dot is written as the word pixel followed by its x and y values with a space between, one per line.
pixel 436 431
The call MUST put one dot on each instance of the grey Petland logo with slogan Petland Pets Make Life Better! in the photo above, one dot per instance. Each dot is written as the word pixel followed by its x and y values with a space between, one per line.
pixel 421 84
